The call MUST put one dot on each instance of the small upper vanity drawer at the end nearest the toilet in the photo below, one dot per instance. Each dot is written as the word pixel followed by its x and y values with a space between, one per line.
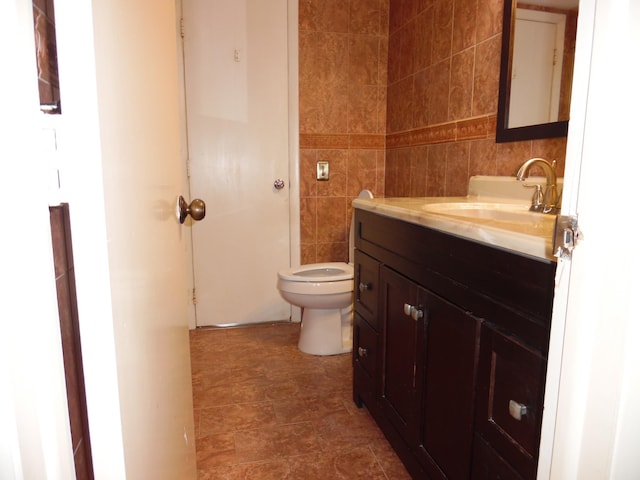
pixel 366 287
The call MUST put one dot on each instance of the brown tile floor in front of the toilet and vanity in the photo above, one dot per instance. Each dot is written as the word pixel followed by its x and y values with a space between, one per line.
pixel 264 410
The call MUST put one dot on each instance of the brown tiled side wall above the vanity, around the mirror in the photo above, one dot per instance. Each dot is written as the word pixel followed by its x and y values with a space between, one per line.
pixel 443 73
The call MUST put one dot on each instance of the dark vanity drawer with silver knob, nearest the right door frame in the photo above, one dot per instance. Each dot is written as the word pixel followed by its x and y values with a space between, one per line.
pixel 510 396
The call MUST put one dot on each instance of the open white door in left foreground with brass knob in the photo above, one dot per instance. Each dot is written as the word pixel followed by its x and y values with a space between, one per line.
pixel 119 141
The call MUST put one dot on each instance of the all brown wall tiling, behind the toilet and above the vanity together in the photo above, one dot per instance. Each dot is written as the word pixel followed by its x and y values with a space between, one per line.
pixel 400 97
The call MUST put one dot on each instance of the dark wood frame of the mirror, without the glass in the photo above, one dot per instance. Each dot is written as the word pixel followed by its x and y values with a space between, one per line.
pixel 503 132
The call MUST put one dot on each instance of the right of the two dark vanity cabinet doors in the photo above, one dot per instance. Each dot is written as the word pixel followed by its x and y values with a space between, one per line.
pixel 450 364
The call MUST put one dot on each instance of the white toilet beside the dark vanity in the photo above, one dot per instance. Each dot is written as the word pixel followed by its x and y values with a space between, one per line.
pixel 324 291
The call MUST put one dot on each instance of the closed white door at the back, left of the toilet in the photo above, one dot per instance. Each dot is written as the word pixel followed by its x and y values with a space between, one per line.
pixel 237 104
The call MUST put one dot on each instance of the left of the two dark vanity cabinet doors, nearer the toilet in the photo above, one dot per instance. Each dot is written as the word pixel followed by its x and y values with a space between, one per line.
pixel 401 349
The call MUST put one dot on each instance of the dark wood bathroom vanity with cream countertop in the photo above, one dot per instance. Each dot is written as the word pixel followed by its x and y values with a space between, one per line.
pixel 450 340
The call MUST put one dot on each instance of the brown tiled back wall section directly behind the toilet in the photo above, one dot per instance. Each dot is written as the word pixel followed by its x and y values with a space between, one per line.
pixel 342 81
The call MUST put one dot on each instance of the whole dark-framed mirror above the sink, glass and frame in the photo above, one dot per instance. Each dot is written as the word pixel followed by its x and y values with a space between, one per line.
pixel 536 69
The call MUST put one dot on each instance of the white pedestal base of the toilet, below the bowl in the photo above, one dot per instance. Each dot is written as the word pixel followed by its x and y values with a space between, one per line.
pixel 326 332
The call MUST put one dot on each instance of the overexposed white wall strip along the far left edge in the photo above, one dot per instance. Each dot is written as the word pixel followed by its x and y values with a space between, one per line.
pixel 35 440
